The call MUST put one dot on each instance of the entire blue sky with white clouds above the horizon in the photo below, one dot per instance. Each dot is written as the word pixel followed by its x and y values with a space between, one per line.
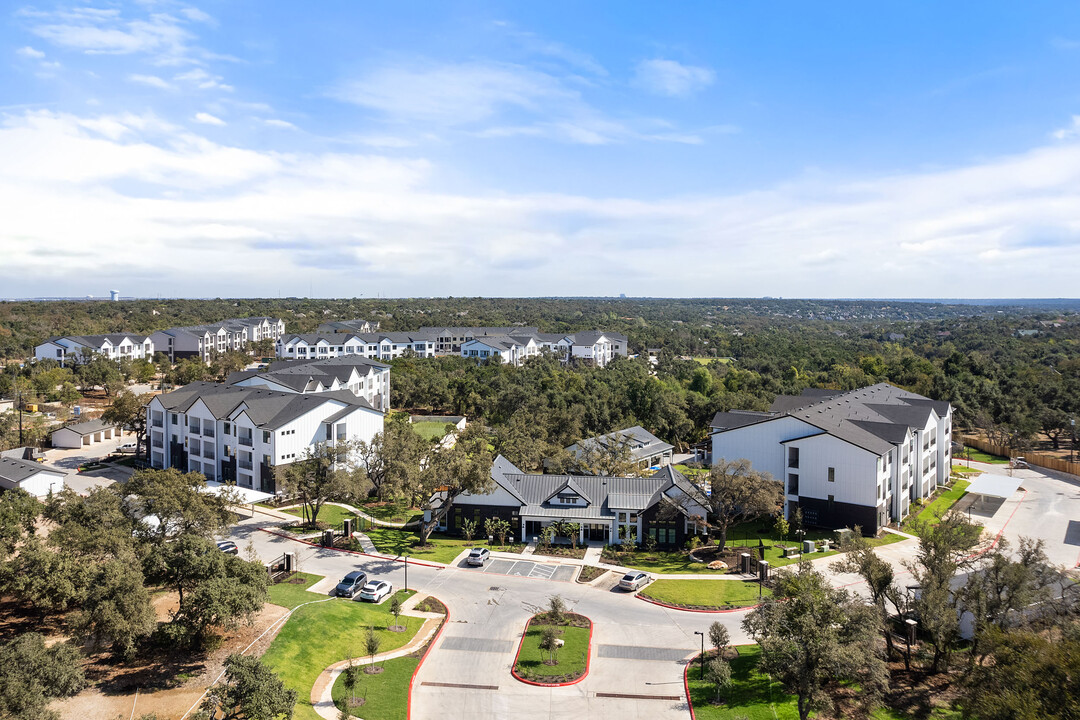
pixel 790 150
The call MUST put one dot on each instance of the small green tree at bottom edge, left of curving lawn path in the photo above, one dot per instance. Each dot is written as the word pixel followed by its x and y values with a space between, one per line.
pixel 250 690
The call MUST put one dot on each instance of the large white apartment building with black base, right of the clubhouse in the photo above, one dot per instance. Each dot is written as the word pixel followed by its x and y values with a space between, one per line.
pixel 846 458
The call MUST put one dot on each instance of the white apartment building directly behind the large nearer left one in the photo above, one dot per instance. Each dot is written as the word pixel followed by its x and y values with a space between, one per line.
pixel 362 377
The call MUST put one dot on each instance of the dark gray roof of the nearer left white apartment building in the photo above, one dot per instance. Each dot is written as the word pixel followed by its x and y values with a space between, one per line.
pixel 267 409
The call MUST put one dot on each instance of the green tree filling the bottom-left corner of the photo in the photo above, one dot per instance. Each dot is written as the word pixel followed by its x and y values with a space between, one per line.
pixel 33 675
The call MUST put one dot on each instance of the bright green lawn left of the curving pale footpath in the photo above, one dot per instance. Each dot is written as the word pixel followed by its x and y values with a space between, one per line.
pixel 318 635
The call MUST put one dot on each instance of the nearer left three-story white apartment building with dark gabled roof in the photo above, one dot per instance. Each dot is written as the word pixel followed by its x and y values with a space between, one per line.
pixel 244 434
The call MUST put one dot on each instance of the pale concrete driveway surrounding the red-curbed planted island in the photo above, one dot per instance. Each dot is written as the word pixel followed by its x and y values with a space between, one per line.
pixel 638 655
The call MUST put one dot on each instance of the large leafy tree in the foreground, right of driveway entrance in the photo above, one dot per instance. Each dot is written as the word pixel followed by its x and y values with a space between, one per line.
pixel 814 637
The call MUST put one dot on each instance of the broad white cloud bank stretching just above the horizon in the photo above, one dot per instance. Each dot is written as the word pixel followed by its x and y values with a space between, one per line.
pixel 350 221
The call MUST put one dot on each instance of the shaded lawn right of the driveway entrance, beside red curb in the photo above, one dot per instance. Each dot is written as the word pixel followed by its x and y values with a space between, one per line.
pixel 752 696
